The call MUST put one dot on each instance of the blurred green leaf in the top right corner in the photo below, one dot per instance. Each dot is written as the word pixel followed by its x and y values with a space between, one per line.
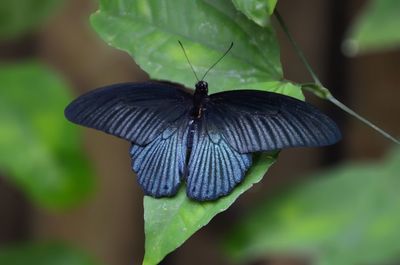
pixel 376 28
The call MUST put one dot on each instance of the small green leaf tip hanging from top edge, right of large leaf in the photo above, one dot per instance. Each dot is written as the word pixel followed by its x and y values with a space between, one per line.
pixel 257 10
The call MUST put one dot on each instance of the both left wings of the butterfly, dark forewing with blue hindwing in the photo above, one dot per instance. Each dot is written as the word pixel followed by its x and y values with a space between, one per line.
pixel 154 117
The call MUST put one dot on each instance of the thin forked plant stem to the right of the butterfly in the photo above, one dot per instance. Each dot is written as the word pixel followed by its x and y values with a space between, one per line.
pixel 322 92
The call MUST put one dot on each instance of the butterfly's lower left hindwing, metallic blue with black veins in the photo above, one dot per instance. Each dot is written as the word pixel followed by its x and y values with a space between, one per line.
pixel 160 164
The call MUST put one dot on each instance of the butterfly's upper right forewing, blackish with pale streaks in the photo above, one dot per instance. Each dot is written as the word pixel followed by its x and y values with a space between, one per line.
pixel 252 121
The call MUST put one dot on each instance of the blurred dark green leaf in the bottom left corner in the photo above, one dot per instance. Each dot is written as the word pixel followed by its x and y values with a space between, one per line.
pixel 44 254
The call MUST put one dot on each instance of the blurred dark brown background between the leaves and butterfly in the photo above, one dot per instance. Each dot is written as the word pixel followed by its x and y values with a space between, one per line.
pixel 110 224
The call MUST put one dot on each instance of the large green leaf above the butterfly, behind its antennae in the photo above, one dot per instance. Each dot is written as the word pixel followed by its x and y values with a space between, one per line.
pixel 149 31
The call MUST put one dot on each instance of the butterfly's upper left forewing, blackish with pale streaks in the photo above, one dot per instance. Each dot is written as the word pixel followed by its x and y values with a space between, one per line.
pixel 137 112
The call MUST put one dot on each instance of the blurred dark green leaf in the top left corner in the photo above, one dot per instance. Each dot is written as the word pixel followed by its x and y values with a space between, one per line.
pixel 18 17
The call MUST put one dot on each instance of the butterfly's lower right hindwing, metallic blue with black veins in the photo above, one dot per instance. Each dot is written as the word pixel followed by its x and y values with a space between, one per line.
pixel 214 168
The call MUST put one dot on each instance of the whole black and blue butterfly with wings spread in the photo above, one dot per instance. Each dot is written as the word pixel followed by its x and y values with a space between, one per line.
pixel 204 140
